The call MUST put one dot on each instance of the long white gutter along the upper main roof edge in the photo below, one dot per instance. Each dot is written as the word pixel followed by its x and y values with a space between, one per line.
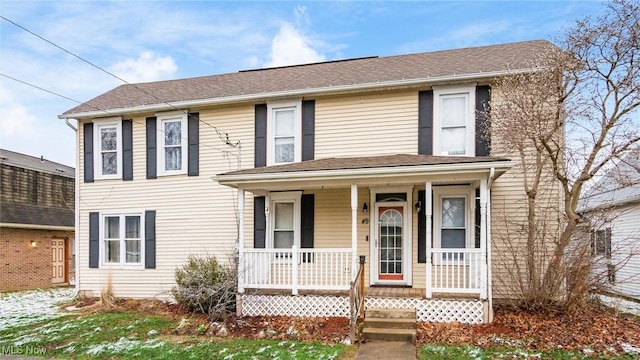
pixel 327 90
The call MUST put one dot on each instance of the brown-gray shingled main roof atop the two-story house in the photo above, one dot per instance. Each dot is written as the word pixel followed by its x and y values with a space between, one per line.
pixel 476 61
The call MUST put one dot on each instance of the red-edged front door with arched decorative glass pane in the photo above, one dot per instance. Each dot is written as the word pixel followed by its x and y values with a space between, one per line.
pixel 390 242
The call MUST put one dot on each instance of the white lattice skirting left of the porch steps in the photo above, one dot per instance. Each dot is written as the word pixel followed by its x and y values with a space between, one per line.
pixel 301 306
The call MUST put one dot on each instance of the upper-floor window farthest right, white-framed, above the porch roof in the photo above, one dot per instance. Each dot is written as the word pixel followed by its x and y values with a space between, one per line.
pixel 454 121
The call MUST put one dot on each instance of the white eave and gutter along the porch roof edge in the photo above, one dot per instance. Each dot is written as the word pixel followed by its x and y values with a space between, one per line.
pixel 239 180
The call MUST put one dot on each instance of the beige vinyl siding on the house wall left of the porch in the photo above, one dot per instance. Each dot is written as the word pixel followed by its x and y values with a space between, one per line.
pixel 194 215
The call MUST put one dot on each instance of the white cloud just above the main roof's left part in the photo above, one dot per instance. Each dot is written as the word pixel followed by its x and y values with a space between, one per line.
pixel 147 67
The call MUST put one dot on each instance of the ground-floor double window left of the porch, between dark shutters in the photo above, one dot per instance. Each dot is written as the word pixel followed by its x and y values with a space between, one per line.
pixel 122 239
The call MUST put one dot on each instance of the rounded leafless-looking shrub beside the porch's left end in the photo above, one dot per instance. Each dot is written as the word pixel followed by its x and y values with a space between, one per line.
pixel 205 285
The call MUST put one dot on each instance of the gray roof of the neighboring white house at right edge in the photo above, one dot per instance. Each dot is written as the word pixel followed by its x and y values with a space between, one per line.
pixel 620 185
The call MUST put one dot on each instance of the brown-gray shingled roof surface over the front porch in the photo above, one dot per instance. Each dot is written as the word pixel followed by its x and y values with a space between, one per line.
pixel 365 162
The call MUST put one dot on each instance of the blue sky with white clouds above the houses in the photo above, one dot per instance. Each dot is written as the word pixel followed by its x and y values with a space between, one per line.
pixel 143 41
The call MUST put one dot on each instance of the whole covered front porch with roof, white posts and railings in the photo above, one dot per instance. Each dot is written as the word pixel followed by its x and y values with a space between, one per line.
pixel 422 222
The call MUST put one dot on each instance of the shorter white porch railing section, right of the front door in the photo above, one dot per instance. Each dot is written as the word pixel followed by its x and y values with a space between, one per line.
pixel 455 271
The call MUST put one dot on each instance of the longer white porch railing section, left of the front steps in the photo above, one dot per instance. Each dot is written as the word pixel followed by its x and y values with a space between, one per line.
pixel 296 269
